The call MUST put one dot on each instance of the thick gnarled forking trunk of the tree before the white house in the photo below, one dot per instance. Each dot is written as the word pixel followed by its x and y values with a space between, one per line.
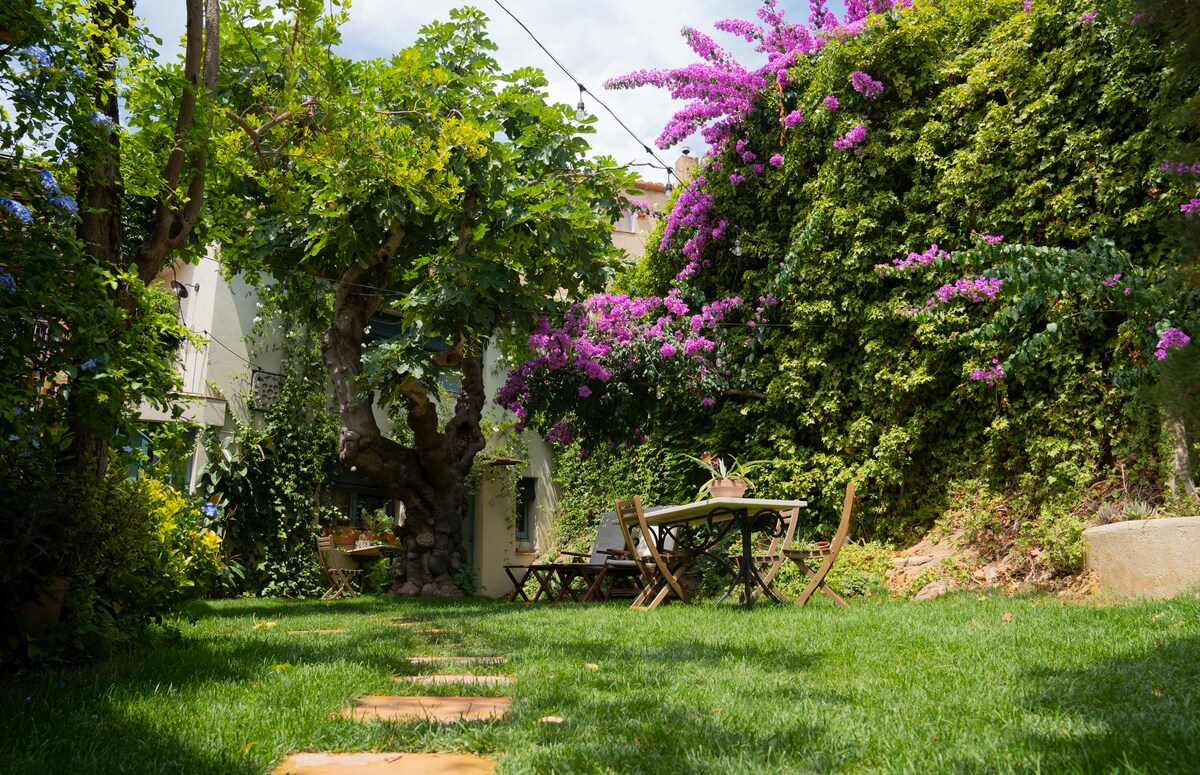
pixel 429 478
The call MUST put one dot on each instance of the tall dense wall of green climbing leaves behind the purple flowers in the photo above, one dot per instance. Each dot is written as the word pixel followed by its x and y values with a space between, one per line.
pixel 1034 125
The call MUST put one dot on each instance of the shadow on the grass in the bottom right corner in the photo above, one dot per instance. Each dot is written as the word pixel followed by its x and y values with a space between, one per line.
pixel 1136 712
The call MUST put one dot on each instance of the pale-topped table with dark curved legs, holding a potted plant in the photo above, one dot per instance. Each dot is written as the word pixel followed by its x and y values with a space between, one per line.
pixel 719 518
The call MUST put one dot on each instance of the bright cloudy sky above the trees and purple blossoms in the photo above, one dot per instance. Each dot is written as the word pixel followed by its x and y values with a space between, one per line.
pixel 596 40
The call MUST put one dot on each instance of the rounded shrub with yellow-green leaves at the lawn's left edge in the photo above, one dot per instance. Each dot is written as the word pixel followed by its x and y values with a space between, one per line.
pixel 136 551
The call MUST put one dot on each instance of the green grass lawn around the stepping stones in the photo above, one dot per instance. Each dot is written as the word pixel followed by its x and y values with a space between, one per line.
pixel 955 686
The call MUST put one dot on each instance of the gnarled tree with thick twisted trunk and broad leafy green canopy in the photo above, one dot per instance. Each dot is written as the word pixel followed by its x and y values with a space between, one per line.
pixel 431 188
